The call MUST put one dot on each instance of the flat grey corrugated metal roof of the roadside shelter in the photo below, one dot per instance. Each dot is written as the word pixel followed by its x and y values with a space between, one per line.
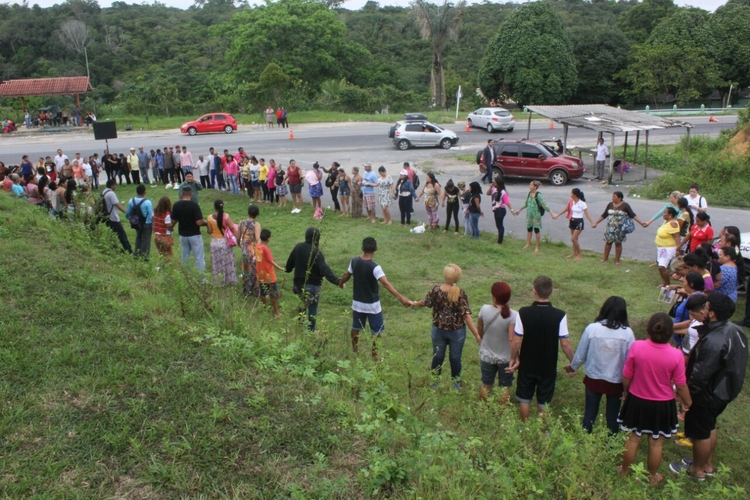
pixel 603 118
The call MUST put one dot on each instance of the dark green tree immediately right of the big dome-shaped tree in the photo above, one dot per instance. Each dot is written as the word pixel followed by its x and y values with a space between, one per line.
pixel 601 52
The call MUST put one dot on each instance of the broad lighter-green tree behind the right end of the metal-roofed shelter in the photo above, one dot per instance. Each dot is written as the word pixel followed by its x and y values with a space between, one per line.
pixel 676 60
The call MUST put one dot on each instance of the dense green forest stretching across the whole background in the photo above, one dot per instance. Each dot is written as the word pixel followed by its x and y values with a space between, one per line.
pixel 306 54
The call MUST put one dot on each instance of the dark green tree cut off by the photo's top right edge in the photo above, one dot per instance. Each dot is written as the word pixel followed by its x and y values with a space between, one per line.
pixel 730 29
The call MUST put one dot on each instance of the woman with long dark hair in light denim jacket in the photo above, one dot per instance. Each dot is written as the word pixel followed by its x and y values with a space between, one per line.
pixel 603 348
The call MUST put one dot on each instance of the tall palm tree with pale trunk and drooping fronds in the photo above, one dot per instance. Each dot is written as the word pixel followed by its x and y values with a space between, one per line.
pixel 438 23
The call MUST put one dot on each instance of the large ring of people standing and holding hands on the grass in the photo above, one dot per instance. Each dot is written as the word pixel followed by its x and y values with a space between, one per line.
pixel 658 383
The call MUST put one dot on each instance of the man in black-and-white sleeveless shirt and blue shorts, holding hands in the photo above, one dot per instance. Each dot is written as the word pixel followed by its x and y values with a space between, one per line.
pixel 366 297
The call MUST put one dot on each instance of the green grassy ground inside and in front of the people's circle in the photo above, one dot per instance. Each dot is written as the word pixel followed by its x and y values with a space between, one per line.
pixel 118 381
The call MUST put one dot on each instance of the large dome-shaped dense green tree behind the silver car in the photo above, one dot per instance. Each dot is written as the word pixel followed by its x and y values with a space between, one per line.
pixel 531 59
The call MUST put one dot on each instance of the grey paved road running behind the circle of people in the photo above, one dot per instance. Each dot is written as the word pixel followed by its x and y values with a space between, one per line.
pixel 354 143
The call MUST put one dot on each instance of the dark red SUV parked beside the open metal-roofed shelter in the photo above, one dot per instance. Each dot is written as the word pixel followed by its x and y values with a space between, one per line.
pixel 535 160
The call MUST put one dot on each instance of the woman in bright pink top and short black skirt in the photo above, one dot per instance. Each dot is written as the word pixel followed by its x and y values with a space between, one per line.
pixel 651 367
